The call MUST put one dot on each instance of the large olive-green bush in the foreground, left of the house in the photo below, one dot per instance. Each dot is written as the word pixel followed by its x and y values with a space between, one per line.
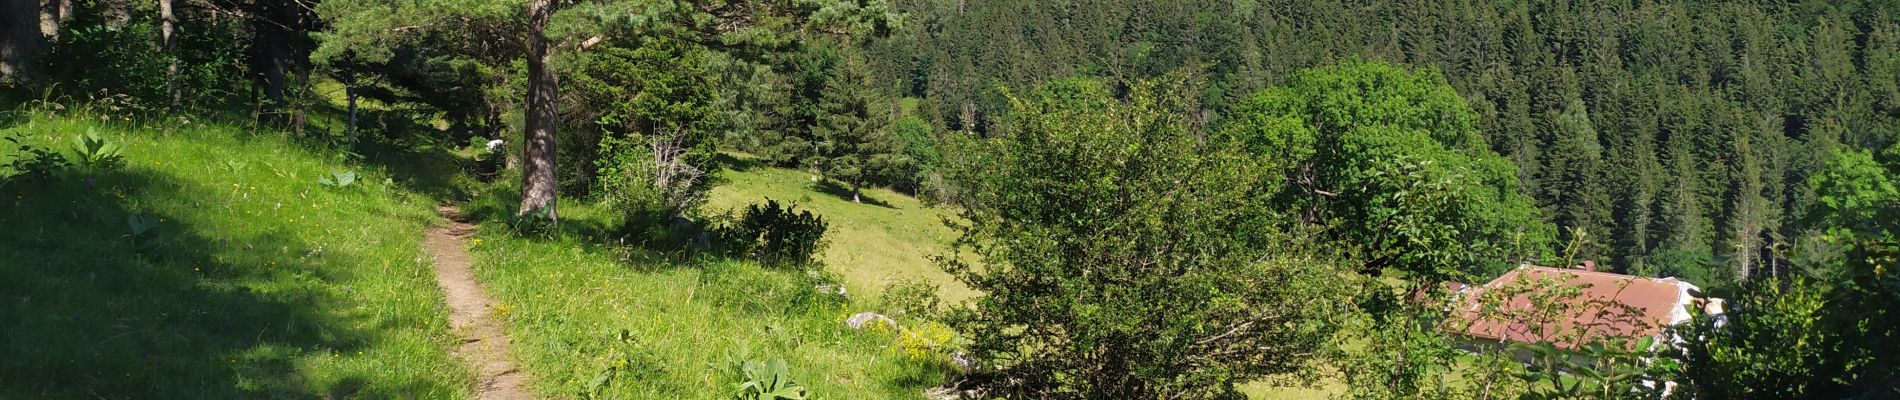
pixel 1124 257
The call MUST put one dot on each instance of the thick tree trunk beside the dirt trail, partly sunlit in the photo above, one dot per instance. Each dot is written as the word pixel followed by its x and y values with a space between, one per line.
pixel 539 139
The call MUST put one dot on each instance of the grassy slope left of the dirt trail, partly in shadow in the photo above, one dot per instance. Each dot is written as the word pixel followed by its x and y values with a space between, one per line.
pixel 263 283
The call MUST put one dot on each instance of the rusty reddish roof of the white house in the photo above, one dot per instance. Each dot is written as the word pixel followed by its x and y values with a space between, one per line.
pixel 1603 306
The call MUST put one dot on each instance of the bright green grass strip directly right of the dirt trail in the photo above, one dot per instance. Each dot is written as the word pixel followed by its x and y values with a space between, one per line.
pixel 567 300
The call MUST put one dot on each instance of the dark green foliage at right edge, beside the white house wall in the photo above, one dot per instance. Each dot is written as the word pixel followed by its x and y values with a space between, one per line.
pixel 1817 336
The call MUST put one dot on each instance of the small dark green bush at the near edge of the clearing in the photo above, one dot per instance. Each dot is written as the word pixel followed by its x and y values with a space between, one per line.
pixel 776 236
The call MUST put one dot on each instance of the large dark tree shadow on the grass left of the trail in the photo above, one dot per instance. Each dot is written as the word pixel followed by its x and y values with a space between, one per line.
pixel 92 312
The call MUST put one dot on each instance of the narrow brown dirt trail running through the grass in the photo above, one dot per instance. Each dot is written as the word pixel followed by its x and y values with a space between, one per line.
pixel 484 340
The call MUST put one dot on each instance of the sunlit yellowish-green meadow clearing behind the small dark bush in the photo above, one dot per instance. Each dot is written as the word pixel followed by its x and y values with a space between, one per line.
pixel 890 236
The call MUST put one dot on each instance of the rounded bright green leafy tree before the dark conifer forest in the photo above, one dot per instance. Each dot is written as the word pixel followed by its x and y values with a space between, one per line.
pixel 1390 162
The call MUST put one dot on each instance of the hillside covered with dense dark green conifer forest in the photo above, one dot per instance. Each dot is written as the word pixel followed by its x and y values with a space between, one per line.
pixel 1677 136
